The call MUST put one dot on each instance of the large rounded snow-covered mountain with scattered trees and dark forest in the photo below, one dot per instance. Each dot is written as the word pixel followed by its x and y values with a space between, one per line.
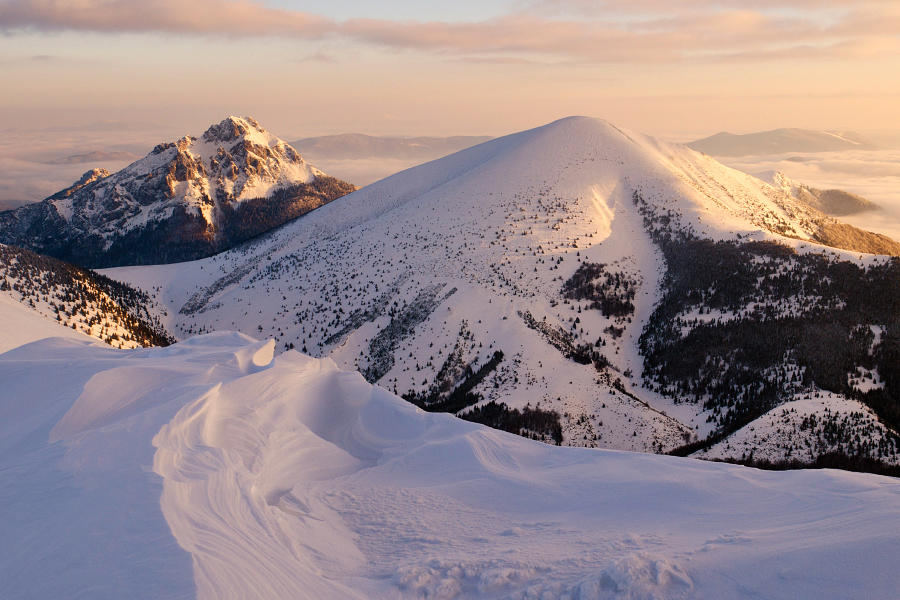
pixel 582 284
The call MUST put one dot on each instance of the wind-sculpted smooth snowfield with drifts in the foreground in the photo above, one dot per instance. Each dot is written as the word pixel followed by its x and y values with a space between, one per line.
pixel 209 469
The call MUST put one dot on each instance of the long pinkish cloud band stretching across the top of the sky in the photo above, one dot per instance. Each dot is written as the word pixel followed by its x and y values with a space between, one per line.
pixel 580 30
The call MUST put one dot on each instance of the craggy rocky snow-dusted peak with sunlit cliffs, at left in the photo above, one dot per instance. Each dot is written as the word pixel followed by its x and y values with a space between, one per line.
pixel 184 200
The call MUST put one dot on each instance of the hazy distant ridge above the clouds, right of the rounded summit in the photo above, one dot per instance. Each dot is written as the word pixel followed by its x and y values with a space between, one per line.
pixel 780 141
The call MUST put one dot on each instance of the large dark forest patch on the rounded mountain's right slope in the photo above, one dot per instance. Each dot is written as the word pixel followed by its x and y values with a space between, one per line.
pixel 745 326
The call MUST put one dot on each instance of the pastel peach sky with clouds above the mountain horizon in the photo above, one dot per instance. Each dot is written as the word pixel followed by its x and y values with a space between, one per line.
pixel 675 68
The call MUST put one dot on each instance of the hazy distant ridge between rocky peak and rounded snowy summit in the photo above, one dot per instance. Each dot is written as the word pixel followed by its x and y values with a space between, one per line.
pixel 357 146
